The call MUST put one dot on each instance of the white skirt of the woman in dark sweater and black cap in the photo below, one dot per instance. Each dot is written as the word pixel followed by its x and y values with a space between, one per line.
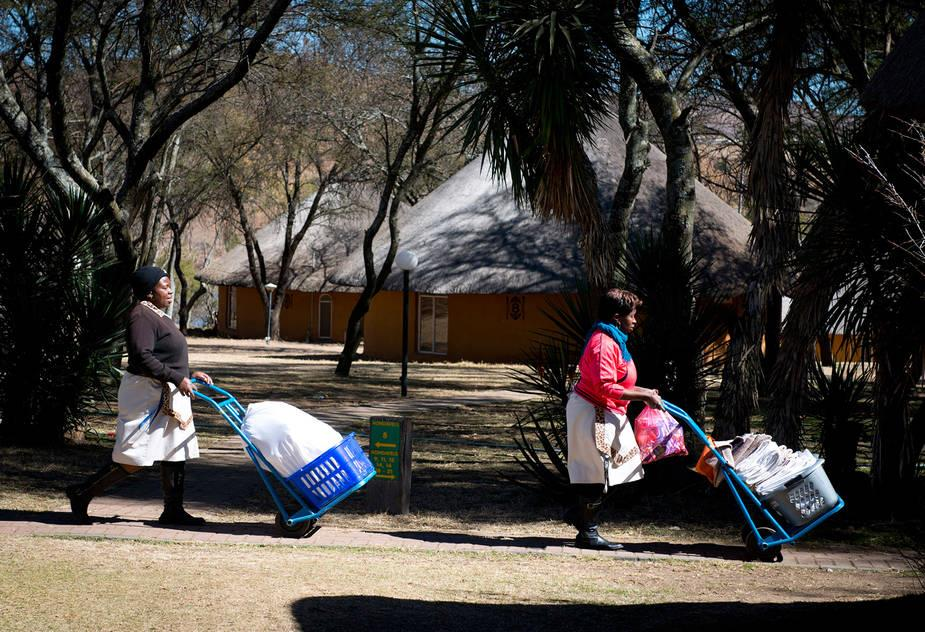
pixel 142 441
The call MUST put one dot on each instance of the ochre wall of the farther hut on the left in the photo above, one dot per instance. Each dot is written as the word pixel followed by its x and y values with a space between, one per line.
pixel 298 314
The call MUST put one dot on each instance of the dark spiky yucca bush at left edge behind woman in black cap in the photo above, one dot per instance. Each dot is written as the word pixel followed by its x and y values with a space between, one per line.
pixel 61 309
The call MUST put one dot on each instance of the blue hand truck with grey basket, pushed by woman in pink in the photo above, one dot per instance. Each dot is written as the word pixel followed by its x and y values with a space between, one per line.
pixel 801 504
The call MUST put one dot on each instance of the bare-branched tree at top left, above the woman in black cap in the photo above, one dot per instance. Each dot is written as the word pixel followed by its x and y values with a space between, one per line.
pixel 93 91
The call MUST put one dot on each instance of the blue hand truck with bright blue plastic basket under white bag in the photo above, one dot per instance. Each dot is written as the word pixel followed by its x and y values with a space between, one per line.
pixel 316 488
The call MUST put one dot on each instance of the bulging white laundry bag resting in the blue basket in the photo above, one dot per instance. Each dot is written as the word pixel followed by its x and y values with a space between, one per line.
pixel 289 438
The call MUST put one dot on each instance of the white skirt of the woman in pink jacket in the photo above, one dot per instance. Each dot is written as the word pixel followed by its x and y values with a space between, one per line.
pixel 586 464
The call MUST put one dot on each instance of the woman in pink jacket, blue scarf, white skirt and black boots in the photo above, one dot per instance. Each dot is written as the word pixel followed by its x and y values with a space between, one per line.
pixel 602 450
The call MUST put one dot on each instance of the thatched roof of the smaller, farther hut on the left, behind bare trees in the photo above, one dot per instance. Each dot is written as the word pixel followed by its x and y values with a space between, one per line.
pixel 336 231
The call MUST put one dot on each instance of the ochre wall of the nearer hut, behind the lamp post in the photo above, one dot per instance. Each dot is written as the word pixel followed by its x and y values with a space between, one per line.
pixel 481 327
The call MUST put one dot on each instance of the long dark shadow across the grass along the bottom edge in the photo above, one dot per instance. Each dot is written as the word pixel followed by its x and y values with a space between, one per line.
pixel 364 612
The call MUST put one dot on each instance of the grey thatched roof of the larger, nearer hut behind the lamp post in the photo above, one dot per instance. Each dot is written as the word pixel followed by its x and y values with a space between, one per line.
pixel 470 236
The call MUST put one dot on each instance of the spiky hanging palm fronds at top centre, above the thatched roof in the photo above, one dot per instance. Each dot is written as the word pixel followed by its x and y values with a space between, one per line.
pixel 538 83
